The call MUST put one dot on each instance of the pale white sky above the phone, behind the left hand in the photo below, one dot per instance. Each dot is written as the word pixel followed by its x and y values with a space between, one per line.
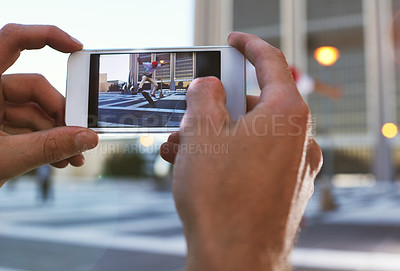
pixel 100 24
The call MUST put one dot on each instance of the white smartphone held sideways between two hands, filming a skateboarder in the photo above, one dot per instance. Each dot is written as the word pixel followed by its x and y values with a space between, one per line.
pixel 144 90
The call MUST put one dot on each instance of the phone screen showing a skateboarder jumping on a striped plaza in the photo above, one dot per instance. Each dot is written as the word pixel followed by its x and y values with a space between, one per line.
pixel 145 89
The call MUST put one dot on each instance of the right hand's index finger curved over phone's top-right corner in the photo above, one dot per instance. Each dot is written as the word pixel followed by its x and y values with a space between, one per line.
pixel 273 72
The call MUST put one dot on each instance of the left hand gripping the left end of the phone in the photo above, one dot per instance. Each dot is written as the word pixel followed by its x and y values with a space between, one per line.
pixel 30 108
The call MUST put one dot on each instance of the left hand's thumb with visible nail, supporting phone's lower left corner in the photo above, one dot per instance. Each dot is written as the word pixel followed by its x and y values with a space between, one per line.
pixel 22 153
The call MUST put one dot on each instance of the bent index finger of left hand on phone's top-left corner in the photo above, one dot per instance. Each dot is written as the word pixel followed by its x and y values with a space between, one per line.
pixel 15 38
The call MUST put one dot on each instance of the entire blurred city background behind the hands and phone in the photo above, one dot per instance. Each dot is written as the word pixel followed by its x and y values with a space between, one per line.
pixel 117 211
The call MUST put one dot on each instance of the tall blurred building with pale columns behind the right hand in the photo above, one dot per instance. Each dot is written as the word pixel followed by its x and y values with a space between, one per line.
pixel 364 31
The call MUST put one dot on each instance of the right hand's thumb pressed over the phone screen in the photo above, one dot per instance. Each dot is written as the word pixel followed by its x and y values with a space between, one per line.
pixel 206 105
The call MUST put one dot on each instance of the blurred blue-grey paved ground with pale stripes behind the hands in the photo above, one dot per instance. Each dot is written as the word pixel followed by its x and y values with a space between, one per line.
pixel 111 225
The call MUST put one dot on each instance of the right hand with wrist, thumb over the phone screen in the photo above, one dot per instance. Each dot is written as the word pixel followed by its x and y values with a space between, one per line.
pixel 241 187
